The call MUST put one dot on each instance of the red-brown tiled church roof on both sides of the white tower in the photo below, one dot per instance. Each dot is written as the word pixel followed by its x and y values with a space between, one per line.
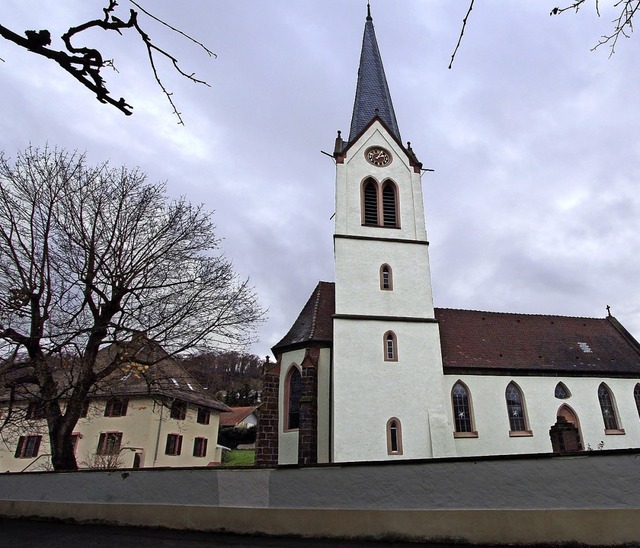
pixel 496 342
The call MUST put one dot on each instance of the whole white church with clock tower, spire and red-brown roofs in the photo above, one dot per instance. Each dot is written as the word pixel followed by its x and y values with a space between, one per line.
pixel 371 371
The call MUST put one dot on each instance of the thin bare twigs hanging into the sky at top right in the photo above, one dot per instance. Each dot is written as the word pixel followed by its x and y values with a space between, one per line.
pixel 622 22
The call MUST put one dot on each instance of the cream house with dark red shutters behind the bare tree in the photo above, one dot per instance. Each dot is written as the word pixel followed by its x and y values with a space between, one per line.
pixel 140 417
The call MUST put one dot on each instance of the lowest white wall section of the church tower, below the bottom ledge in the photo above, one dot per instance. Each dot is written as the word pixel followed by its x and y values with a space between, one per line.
pixel 368 391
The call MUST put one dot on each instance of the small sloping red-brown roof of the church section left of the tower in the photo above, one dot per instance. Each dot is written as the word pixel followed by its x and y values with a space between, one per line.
pixel 314 323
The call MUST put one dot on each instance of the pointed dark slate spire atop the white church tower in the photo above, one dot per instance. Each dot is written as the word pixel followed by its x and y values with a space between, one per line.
pixel 372 91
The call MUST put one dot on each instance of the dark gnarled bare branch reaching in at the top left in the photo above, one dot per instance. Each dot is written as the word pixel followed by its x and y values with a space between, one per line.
pixel 85 63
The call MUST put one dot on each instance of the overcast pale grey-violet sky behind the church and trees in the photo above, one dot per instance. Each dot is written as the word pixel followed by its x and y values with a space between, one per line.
pixel 533 206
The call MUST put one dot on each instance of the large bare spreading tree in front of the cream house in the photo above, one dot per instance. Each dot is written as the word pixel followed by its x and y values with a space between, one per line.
pixel 90 256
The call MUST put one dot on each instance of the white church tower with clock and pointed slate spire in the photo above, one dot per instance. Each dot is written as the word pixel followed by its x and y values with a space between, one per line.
pixel 387 397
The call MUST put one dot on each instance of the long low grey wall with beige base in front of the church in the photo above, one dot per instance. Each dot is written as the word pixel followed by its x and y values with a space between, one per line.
pixel 593 498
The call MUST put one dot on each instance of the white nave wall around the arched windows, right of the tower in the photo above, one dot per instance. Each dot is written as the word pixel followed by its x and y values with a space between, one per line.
pixel 492 423
